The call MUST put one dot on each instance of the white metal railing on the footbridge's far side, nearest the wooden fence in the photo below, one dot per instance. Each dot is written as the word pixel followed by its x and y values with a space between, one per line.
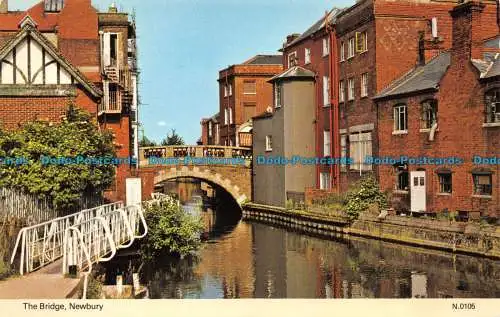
pixel 42 244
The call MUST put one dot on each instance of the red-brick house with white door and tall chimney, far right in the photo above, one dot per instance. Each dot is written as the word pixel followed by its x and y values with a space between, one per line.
pixel 446 108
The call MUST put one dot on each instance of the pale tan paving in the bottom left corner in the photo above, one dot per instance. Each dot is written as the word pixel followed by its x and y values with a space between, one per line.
pixel 47 283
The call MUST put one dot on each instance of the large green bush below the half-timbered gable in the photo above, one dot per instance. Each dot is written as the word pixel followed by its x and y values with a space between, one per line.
pixel 77 135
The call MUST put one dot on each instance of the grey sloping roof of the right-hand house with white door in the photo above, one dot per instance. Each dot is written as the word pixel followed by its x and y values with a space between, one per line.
pixel 420 78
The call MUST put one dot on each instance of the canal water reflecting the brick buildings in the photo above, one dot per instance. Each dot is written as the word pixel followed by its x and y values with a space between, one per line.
pixel 252 260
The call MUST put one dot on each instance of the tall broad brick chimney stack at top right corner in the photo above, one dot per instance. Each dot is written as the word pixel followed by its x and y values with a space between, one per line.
pixel 466 31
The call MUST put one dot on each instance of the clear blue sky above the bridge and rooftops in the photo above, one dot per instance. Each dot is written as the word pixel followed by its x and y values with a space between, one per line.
pixel 184 43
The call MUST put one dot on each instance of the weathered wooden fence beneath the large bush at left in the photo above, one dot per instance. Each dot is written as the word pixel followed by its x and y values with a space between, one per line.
pixel 32 209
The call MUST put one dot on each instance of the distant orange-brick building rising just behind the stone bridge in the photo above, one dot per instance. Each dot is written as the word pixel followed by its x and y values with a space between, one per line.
pixel 244 92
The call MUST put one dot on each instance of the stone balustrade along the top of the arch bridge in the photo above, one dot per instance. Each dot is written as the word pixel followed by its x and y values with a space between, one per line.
pixel 201 151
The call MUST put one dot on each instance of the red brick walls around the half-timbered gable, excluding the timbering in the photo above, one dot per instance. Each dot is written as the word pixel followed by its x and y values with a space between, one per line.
pixel 75 31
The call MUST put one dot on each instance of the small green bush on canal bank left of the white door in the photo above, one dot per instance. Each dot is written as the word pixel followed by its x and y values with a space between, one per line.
pixel 362 195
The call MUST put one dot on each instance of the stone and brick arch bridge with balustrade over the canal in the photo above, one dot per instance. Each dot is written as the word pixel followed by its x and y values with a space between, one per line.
pixel 226 167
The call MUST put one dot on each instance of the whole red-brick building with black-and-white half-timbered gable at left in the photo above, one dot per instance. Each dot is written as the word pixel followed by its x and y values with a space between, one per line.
pixel 60 52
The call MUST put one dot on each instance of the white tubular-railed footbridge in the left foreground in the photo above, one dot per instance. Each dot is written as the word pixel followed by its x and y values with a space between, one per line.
pixel 80 240
